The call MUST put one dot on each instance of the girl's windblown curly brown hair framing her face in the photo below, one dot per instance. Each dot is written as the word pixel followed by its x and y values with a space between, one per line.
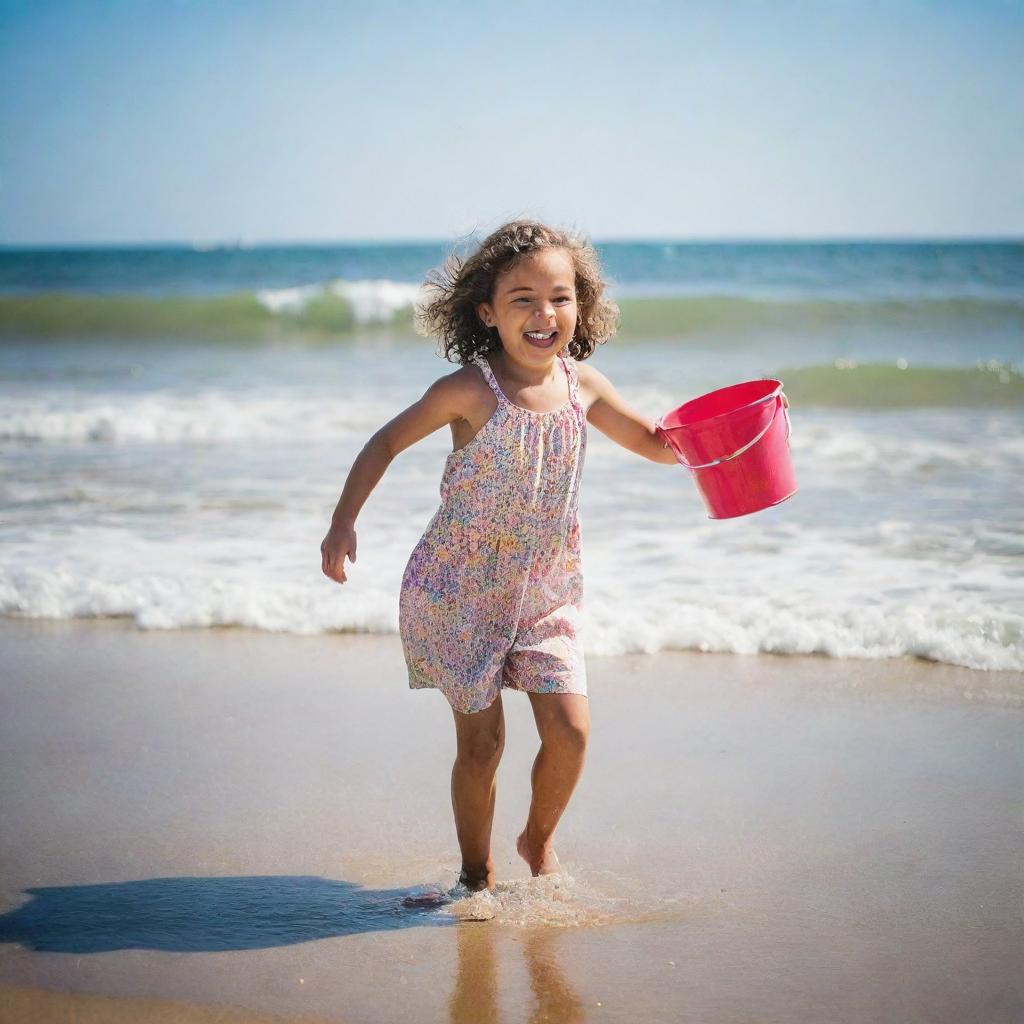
pixel 452 294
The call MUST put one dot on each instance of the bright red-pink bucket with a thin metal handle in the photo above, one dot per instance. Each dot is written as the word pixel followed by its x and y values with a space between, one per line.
pixel 737 445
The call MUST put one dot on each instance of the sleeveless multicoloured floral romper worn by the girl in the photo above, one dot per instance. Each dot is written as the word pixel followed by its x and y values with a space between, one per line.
pixel 492 593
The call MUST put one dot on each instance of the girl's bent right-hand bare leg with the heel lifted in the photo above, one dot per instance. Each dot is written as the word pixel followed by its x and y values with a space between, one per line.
pixel 564 723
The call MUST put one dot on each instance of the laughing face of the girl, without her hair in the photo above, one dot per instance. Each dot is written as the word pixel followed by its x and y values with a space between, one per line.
pixel 534 308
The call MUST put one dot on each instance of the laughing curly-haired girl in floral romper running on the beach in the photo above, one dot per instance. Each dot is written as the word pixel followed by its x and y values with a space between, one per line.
pixel 492 593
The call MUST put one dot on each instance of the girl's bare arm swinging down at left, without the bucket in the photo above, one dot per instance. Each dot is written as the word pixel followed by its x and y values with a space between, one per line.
pixel 445 402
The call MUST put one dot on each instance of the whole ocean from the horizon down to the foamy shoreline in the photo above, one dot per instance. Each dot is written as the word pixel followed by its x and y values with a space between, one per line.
pixel 177 426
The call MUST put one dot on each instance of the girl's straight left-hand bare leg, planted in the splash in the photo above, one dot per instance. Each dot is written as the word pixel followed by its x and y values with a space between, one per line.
pixel 481 740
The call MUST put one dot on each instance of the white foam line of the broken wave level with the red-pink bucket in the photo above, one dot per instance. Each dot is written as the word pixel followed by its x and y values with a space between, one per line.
pixel 828 450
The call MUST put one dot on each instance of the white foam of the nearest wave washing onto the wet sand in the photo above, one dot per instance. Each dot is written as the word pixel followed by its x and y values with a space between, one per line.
pixel 729 599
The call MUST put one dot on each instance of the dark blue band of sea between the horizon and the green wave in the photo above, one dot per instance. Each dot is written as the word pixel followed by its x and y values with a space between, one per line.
pixel 859 270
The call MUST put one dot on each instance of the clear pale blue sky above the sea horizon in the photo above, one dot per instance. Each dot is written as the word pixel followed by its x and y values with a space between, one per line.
pixel 141 121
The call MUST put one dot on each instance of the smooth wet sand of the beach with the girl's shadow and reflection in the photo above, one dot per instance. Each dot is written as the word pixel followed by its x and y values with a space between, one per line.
pixel 201 821
